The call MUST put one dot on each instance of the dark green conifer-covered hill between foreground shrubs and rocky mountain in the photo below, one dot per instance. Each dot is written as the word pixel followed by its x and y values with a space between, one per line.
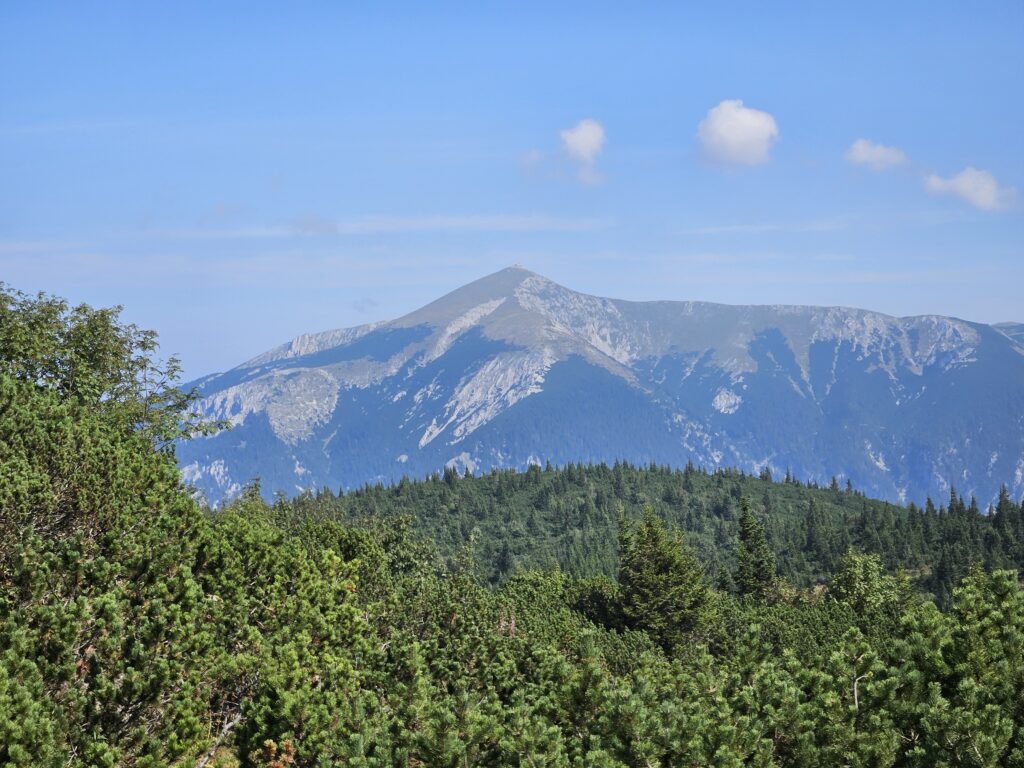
pixel 569 518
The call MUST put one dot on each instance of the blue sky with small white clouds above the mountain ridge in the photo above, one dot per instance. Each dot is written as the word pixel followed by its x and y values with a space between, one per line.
pixel 237 175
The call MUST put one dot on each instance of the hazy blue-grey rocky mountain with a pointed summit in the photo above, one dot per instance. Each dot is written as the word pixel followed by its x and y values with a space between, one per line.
pixel 515 369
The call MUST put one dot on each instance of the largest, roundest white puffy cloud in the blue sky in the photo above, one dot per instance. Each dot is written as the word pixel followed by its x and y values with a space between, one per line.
pixel 735 135
